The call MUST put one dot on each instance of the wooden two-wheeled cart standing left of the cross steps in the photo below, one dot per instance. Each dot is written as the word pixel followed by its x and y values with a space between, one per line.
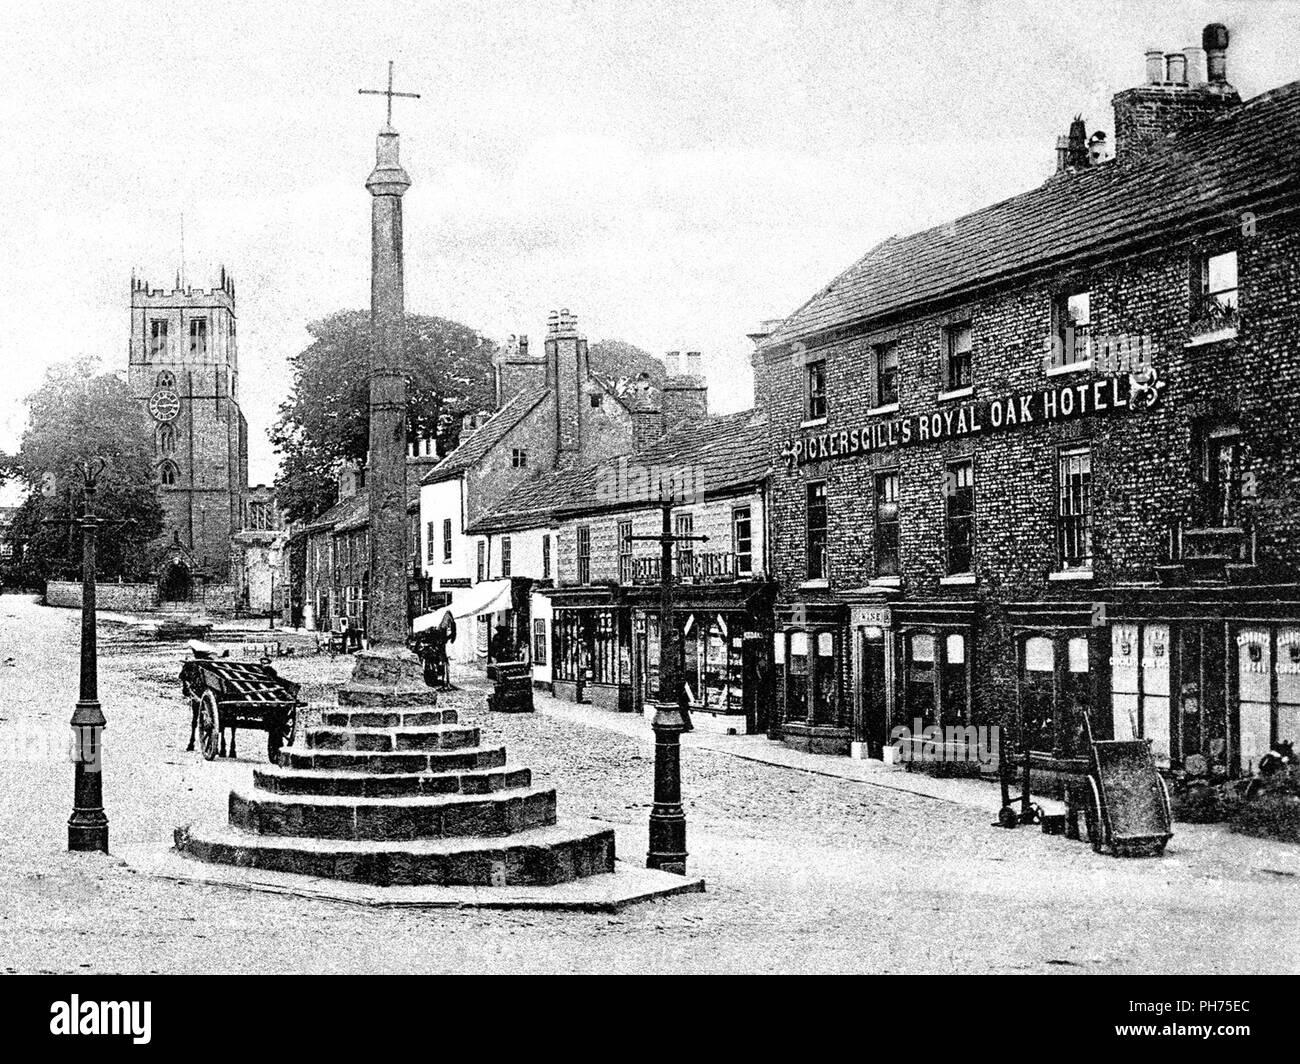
pixel 239 695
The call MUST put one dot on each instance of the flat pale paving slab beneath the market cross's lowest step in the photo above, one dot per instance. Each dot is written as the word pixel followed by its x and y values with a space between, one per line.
pixel 605 894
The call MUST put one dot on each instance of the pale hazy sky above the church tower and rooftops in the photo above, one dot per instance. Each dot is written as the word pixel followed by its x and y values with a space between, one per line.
pixel 670 172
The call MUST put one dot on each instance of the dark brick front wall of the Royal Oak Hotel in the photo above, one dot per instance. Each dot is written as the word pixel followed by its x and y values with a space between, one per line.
pixel 1145 466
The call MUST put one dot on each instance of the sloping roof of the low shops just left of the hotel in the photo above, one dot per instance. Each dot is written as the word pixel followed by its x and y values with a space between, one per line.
pixel 727 453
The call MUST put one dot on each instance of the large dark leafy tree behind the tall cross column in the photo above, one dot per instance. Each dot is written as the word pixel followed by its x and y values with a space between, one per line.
pixel 326 421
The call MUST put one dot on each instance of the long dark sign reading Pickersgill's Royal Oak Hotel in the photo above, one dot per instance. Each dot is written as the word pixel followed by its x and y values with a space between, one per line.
pixel 1139 392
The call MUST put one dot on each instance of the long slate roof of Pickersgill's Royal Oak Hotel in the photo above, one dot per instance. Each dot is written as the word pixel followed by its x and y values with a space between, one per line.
pixel 1236 161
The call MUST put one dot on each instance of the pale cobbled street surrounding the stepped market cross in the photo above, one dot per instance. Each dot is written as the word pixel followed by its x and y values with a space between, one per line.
pixel 805 873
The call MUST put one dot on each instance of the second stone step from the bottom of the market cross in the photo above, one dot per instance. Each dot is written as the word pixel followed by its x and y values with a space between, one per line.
pixel 392 819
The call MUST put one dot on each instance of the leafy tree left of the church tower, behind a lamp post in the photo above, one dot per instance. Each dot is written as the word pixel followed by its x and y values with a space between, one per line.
pixel 73 418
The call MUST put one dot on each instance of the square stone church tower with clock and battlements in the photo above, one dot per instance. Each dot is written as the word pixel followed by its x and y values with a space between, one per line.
pixel 185 373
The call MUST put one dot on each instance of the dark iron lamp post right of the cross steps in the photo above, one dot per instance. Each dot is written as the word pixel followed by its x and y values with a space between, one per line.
pixel 668 819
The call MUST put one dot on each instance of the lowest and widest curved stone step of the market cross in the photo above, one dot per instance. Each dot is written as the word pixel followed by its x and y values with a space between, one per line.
pixel 541 857
